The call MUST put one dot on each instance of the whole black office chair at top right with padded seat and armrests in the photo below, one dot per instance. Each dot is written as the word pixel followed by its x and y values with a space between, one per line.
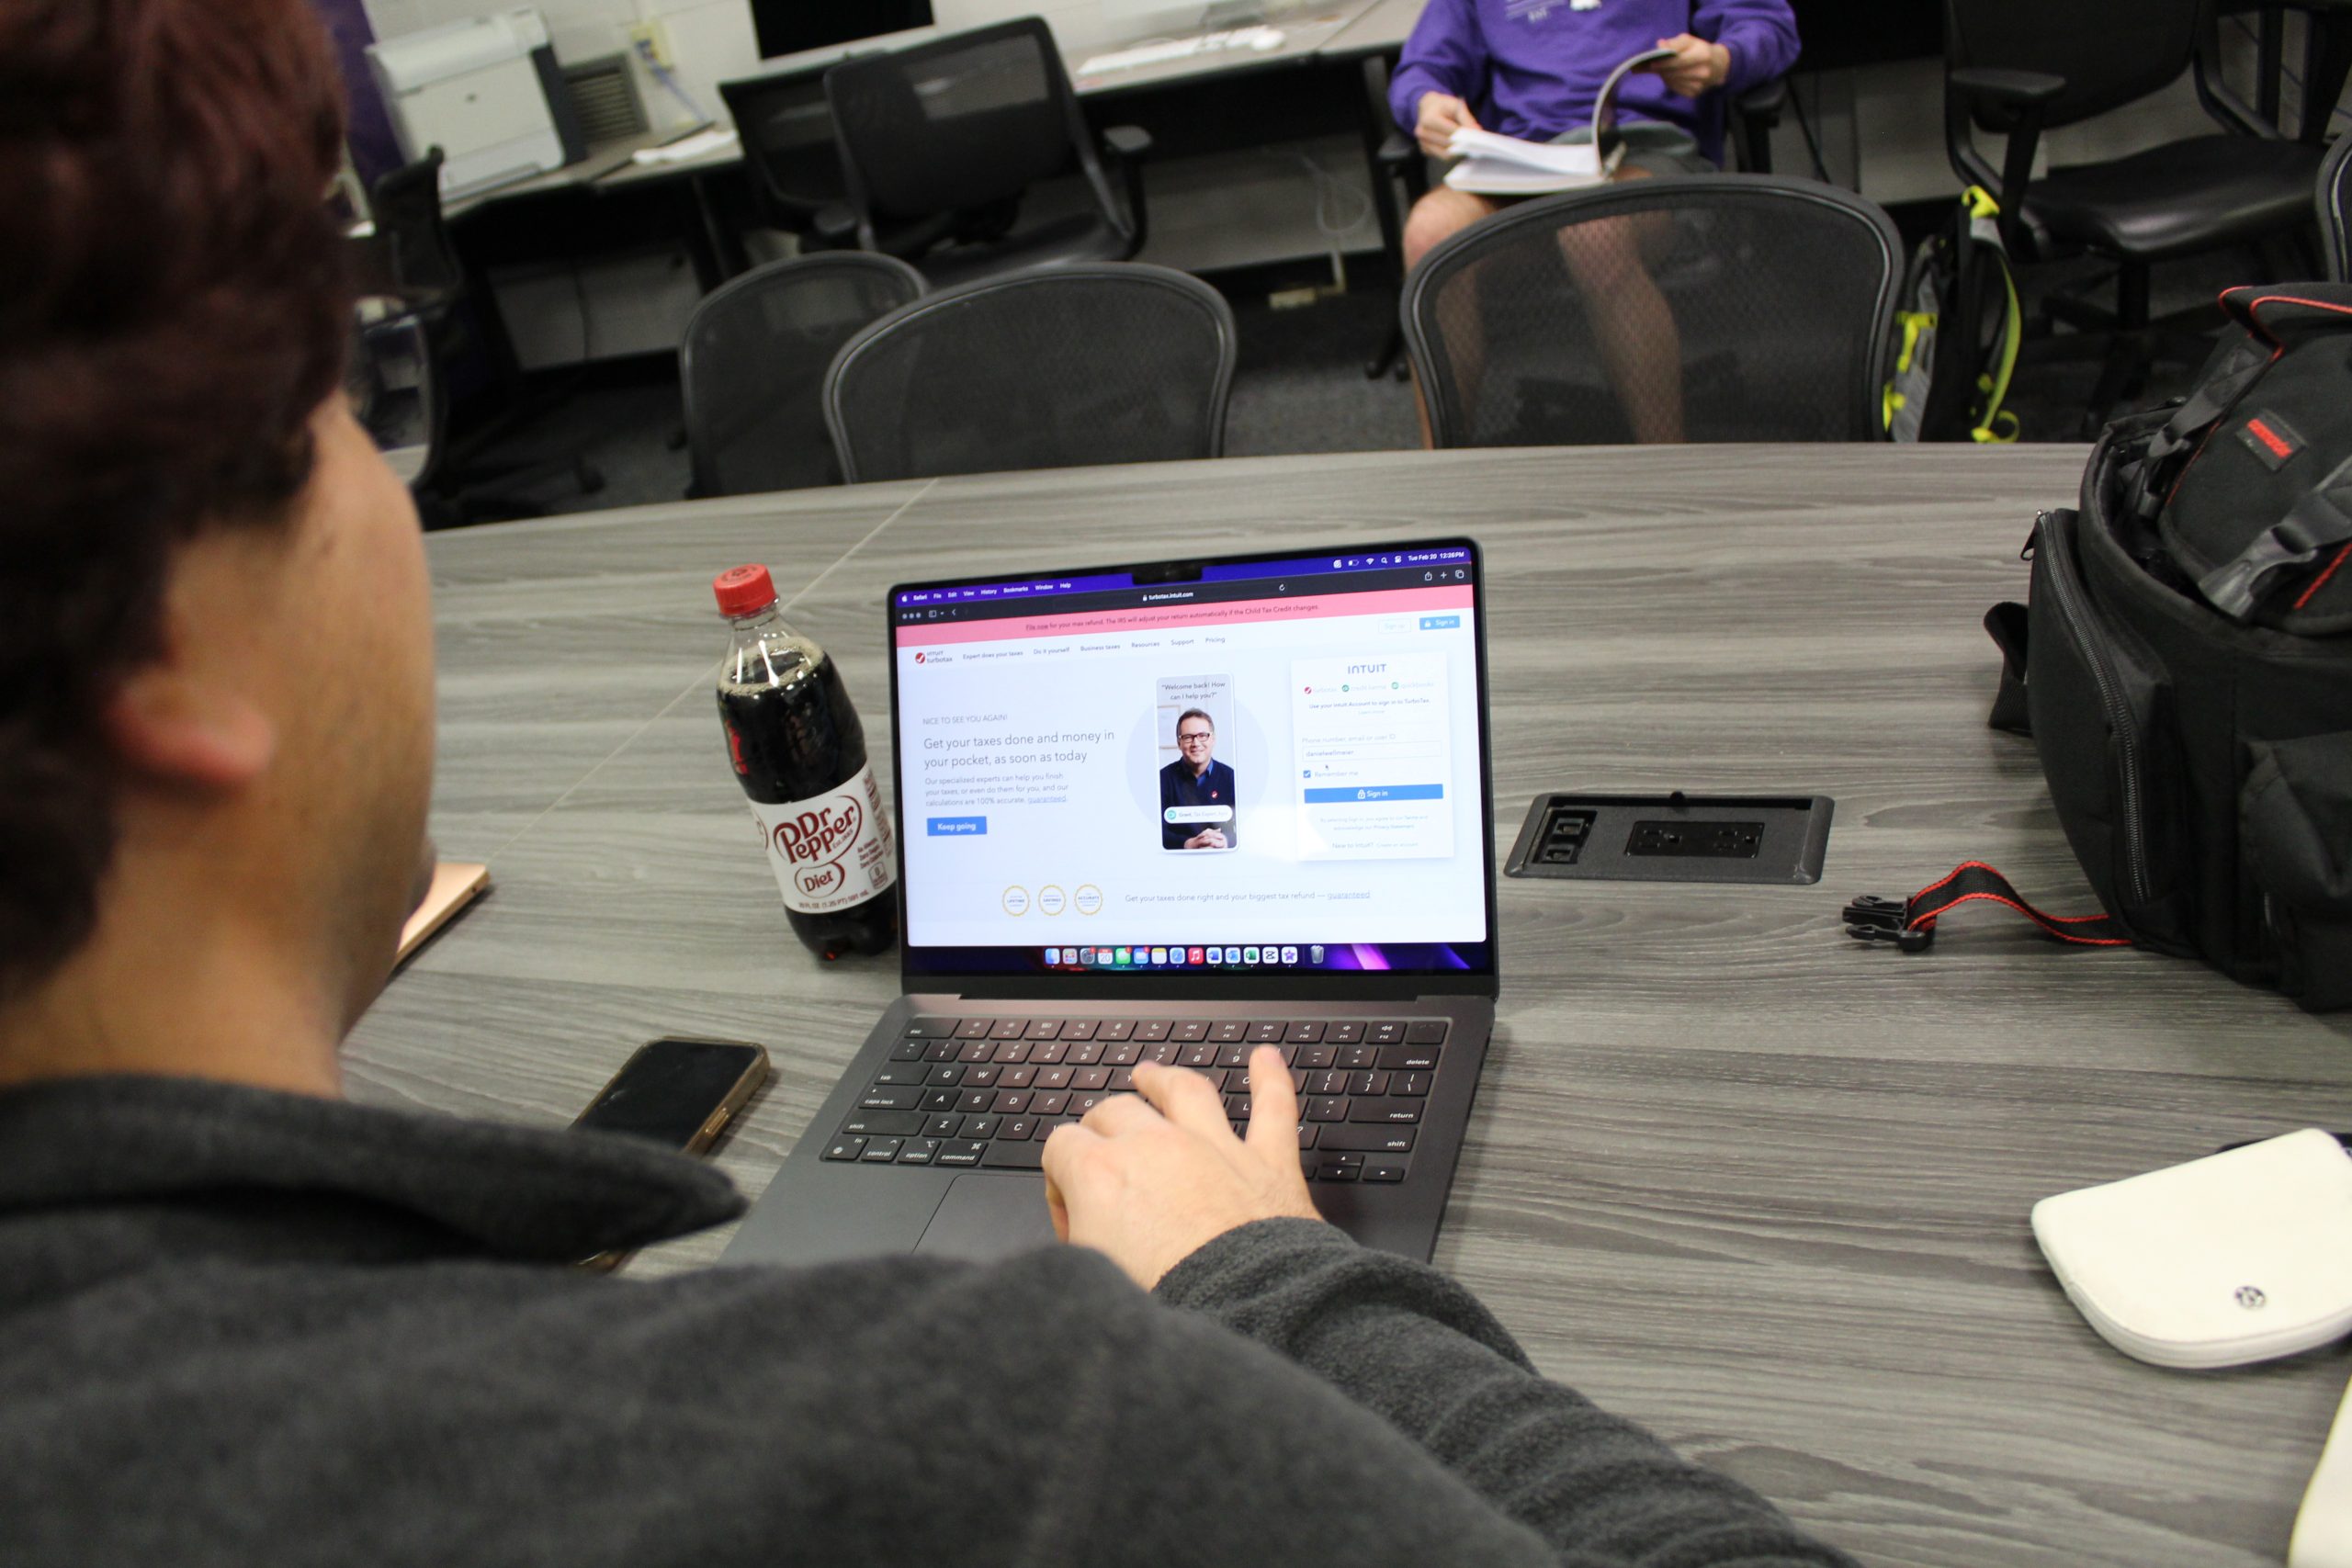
pixel 2026 67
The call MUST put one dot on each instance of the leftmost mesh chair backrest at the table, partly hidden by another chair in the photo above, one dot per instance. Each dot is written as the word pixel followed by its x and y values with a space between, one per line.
pixel 754 368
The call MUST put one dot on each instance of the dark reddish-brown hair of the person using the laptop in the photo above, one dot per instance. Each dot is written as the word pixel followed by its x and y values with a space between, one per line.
pixel 173 309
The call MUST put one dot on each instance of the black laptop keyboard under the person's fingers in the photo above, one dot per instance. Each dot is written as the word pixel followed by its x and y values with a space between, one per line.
pixel 987 1092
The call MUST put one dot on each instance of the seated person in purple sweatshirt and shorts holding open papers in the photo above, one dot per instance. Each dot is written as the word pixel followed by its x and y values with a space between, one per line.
pixel 1532 69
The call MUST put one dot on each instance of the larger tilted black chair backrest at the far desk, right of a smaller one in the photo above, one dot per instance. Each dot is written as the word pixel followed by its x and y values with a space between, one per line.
pixel 958 123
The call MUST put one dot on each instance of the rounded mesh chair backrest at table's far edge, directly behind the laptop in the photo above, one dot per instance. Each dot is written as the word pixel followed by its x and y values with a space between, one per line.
pixel 1107 363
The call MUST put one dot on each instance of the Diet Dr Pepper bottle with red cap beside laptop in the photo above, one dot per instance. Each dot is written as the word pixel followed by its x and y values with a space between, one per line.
pixel 801 756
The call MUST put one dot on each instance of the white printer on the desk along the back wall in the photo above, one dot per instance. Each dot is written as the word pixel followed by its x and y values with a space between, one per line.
pixel 486 93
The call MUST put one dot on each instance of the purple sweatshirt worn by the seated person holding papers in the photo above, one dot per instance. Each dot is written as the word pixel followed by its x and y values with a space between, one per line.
pixel 1535 67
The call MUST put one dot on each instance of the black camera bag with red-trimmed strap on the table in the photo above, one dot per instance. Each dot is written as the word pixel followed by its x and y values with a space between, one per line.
pixel 2186 669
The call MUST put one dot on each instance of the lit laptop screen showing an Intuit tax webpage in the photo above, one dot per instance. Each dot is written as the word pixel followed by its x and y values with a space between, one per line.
pixel 1267 765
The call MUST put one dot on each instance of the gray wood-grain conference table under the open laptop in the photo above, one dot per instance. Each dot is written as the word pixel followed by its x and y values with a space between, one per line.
pixel 1732 1174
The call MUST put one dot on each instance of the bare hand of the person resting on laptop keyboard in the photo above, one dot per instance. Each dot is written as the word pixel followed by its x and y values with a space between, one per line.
pixel 1154 1177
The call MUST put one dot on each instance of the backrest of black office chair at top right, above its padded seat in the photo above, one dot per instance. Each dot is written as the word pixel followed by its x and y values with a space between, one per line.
pixel 2109 51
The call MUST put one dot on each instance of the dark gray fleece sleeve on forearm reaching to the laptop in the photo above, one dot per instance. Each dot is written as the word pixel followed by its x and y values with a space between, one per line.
pixel 1415 1348
